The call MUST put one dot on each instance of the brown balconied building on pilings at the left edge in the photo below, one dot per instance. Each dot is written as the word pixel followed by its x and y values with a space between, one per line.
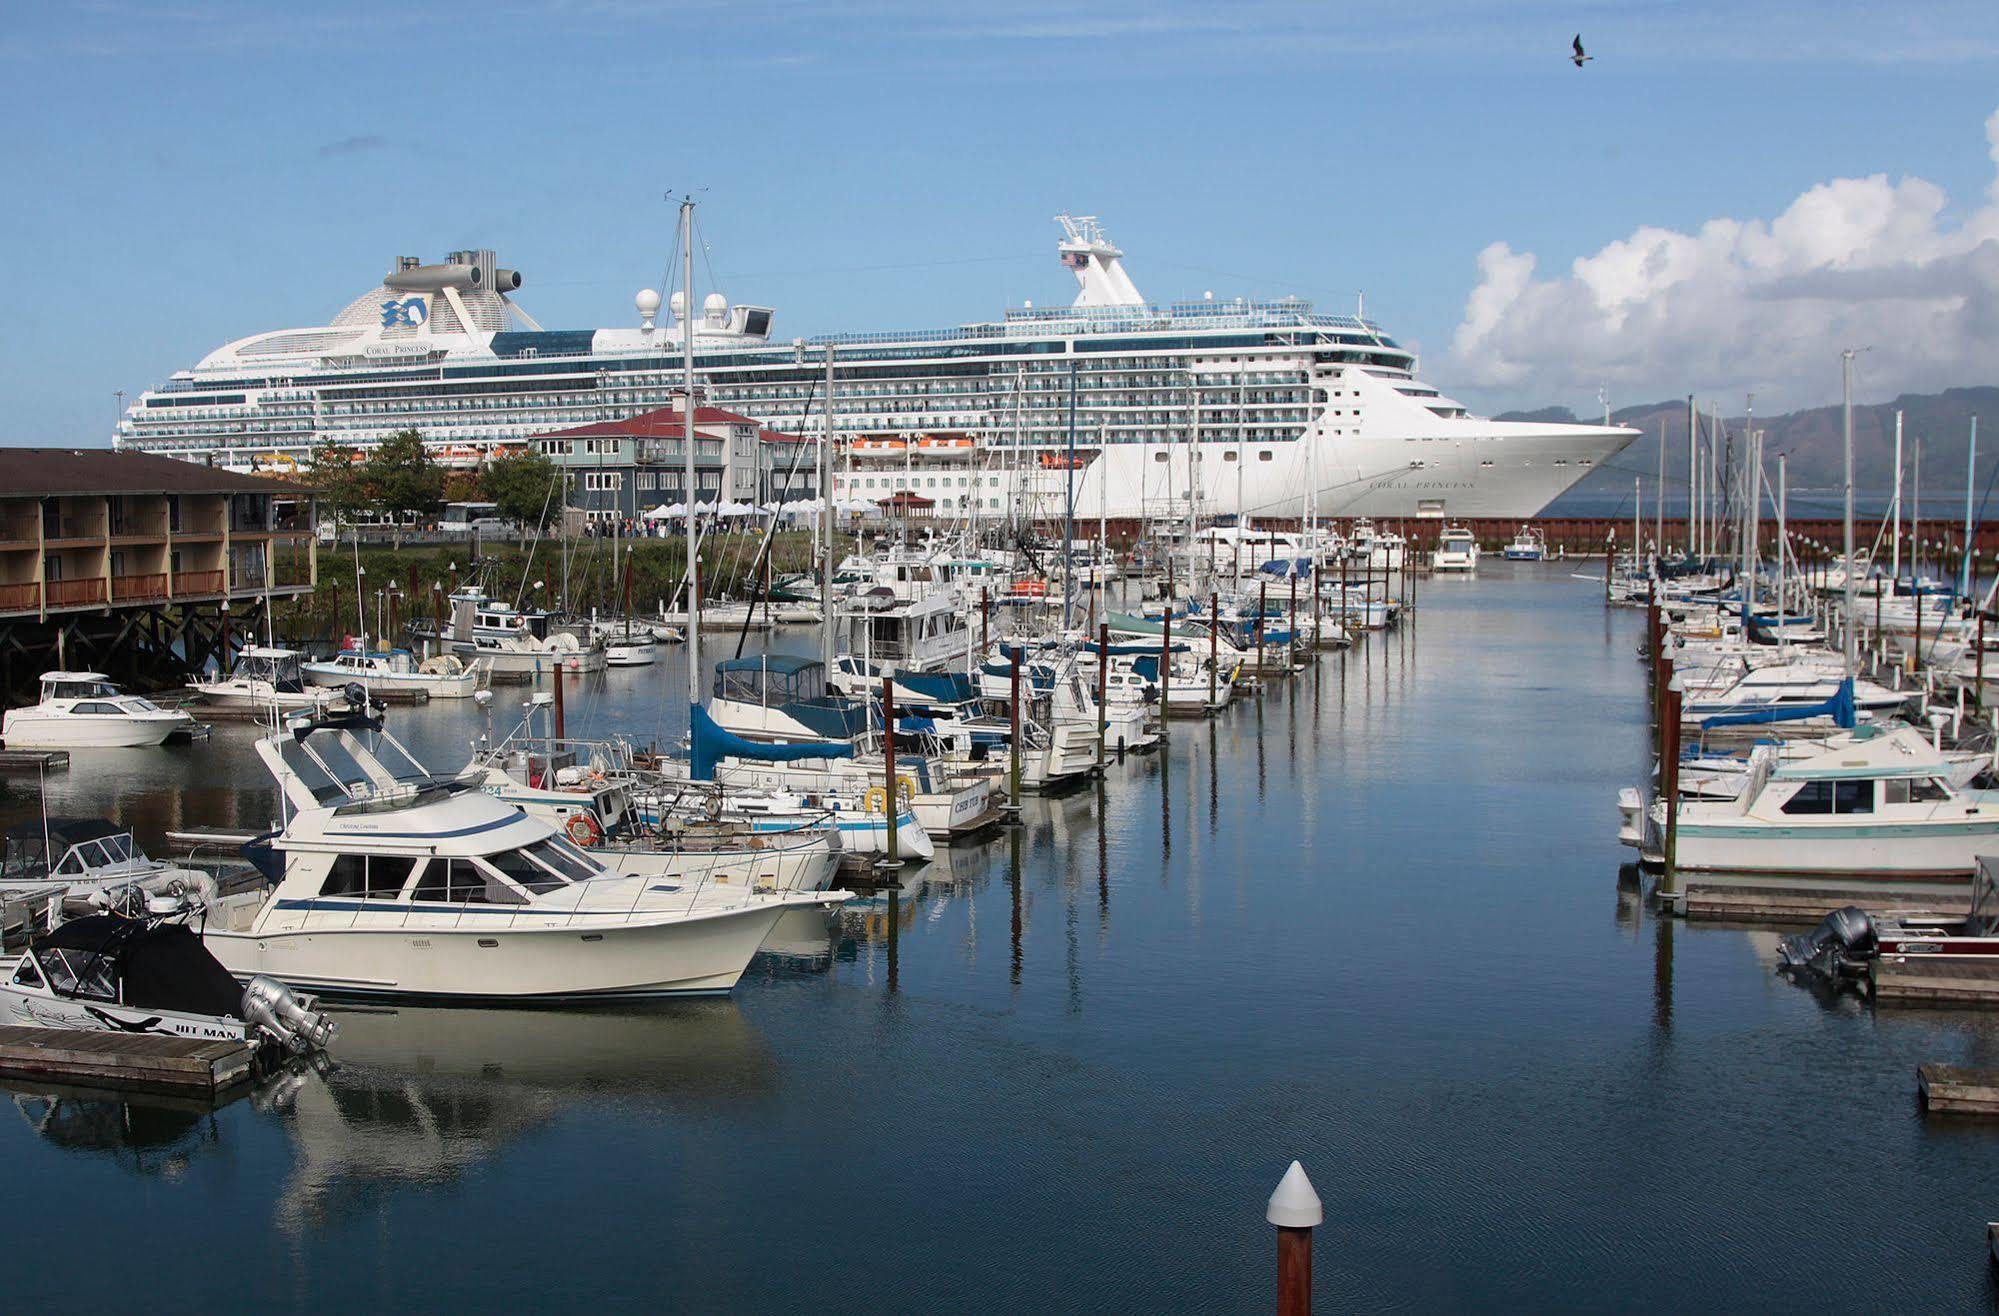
pixel 141 567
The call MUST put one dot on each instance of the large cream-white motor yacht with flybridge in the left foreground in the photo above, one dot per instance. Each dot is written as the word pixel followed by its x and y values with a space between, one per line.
pixel 393 881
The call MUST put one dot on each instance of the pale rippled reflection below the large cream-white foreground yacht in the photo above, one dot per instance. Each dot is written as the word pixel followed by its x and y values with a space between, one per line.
pixel 425 1095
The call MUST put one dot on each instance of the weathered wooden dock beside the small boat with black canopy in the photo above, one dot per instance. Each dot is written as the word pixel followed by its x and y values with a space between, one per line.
pixel 145 1061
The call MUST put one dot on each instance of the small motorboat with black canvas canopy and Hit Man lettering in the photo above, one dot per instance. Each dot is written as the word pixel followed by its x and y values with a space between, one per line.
pixel 111 973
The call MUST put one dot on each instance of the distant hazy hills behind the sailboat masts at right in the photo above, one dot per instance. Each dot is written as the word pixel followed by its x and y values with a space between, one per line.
pixel 1812 441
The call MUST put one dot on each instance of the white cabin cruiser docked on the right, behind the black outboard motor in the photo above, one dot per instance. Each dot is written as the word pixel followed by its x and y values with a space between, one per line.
pixel 1876 801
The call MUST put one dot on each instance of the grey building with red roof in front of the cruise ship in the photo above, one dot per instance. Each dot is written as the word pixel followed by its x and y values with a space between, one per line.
pixel 625 467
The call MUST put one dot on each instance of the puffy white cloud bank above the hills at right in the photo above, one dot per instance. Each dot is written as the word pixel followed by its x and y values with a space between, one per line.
pixel 1752 305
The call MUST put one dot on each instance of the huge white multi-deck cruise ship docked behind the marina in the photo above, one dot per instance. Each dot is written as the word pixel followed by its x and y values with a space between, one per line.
pixel 1142 411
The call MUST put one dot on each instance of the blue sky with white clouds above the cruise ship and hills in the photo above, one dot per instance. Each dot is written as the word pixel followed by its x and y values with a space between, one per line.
pixel 189 173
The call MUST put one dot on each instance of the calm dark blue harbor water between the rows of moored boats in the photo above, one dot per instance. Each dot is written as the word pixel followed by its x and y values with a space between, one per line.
pixel 1370 921
